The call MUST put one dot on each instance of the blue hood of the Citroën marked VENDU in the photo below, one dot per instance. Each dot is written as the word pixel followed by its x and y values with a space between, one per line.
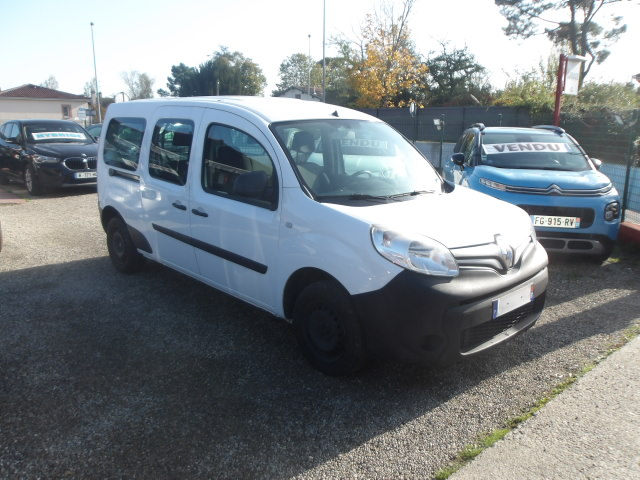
pixel 566 180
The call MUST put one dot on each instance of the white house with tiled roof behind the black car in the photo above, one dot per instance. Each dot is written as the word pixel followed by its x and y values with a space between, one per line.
pixel 33 101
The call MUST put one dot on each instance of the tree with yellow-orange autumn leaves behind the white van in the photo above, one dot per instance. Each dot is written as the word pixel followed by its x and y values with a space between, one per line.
pixel 390 72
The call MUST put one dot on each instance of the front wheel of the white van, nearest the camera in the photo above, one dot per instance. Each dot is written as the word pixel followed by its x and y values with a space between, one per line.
pixel 327 329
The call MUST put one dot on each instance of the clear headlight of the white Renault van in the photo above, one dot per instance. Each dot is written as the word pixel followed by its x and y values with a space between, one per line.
pixel 414 252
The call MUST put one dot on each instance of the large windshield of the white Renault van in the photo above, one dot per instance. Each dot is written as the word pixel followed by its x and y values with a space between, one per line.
pixel 356 160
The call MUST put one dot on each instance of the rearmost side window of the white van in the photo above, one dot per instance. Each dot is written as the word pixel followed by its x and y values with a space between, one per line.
pixel 122 142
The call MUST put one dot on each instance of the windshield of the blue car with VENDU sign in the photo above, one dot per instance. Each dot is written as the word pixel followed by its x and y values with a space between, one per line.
pixel 532 150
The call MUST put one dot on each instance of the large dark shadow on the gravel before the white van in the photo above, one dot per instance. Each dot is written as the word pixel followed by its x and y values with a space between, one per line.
pixel 155 375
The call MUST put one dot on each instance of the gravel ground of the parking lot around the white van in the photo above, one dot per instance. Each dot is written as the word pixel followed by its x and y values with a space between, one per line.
pixel 154 375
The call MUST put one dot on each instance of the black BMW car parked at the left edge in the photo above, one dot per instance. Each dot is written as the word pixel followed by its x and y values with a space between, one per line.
pixel 46 154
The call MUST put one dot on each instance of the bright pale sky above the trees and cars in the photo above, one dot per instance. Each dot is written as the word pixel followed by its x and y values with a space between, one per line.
pixel 42 38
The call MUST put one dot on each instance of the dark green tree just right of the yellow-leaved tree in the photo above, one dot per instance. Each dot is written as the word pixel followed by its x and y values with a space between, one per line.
pixel 457 79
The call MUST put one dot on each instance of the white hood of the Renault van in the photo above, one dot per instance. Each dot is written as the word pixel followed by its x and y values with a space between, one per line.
pixel 461 218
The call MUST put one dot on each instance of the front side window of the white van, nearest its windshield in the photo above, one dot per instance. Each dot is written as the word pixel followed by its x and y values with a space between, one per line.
pixel 235 165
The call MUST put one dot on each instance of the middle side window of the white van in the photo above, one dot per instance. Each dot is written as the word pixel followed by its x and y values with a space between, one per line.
pixel 170 150
